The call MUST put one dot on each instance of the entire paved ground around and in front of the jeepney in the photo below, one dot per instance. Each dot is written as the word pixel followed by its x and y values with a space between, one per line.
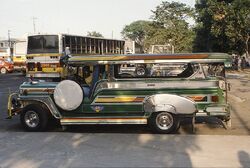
pixel 127 146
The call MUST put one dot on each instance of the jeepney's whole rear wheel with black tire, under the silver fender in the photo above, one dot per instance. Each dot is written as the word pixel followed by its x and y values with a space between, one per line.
pixel 164 122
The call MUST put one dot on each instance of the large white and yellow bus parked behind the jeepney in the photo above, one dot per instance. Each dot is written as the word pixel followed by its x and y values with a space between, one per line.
pixel 44 52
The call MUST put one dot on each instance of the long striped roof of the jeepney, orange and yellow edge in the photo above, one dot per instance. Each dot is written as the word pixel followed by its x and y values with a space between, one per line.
pixel 149 58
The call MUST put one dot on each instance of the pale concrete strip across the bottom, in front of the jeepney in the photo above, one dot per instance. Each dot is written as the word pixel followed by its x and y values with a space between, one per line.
pixel 122 150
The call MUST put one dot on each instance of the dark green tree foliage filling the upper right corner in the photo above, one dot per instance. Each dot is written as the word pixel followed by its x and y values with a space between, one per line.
pixel 222 26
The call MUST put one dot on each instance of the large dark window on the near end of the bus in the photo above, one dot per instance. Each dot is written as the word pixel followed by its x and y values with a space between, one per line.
pixel 43 44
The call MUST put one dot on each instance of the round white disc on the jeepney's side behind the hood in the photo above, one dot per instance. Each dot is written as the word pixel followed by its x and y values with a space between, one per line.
pixel 68 95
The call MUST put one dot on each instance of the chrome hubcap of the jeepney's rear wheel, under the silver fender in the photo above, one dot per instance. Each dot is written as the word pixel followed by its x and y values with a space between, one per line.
pixel 164 121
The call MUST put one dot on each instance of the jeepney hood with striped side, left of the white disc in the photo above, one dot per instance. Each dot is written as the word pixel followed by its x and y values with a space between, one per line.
pixel 37 88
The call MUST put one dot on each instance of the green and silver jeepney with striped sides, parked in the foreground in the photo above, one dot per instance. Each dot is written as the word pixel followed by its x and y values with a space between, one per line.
pixel 166 89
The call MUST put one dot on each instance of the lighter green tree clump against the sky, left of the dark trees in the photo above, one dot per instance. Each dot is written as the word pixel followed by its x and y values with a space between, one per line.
pixel 168 26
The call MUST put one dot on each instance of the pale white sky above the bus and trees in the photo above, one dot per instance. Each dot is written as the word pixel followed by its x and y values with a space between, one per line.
pixel 107 17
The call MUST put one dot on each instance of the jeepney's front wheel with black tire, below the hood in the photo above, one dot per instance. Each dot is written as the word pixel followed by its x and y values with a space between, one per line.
pixel 39 116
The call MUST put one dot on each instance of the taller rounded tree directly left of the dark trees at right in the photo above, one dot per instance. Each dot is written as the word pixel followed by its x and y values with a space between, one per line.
pixel 172 20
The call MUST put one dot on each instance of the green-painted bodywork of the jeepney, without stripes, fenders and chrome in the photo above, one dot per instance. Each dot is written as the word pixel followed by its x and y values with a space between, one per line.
pixel 87 108
